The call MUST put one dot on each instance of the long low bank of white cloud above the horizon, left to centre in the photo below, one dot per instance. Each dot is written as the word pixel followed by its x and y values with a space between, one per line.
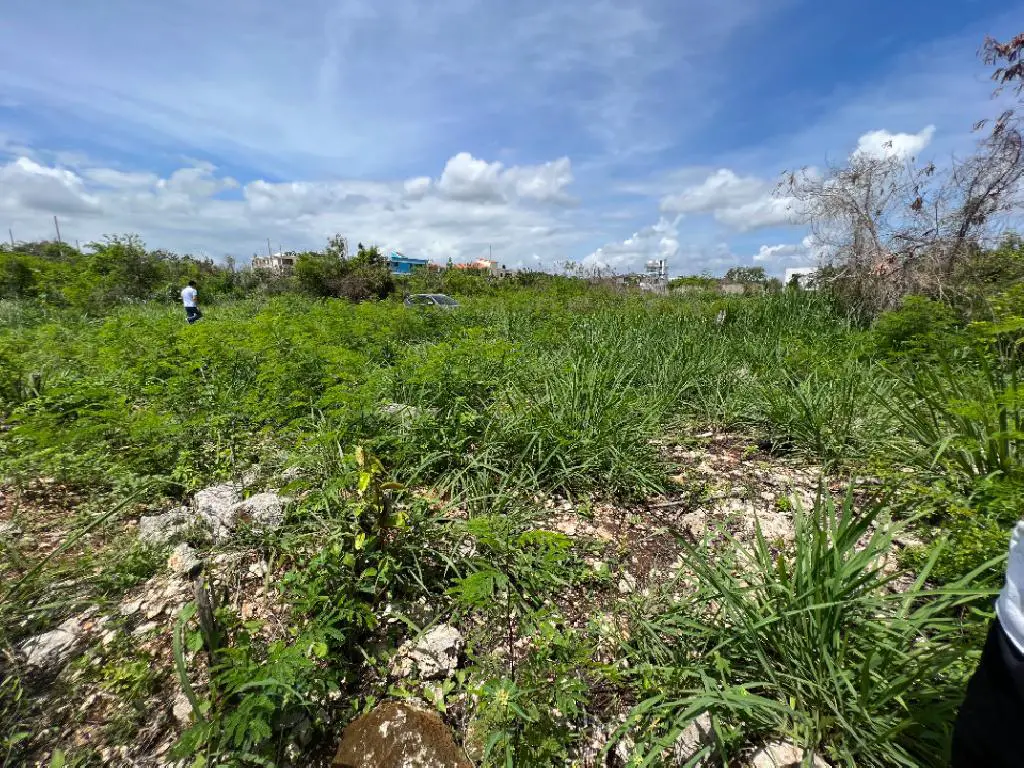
pixel 201 210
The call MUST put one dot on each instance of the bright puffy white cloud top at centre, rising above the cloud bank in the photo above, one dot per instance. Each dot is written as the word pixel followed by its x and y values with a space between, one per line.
pixel 470 179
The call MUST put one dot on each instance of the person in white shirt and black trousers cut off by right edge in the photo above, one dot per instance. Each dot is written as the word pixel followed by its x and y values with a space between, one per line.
pixel 989 722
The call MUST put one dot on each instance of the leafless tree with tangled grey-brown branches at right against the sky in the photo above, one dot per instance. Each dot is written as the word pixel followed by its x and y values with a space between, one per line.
pixel 888 227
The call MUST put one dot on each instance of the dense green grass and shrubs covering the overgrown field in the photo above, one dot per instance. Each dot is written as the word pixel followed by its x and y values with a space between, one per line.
pixel 538 388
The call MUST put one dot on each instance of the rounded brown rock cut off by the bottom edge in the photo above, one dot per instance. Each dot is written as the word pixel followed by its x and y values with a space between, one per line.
pixel 398 736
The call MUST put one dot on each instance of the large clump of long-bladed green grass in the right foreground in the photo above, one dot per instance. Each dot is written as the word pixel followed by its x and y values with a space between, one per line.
pixel 812 646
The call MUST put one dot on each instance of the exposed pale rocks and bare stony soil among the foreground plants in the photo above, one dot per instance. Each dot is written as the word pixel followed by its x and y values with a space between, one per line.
pixel 726 485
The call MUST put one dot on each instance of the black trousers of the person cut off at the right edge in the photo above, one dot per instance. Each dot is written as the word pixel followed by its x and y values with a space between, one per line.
pixel 991 722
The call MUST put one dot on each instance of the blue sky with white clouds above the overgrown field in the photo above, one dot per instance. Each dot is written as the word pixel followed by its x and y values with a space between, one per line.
pixel 607 132
